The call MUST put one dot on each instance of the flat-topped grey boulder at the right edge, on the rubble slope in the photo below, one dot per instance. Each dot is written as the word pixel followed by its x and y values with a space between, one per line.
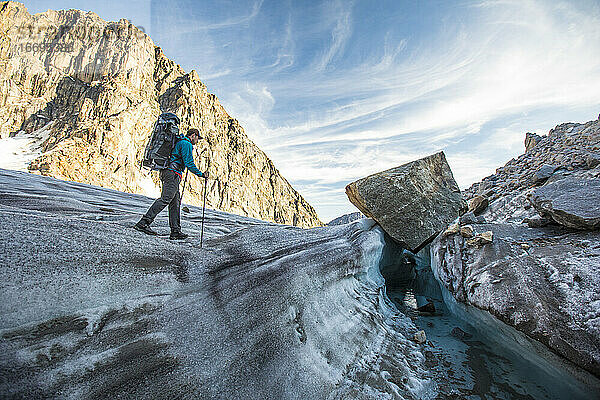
pixel 571 201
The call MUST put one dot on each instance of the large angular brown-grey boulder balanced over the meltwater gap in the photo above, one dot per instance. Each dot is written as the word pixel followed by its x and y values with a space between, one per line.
pixel 412 202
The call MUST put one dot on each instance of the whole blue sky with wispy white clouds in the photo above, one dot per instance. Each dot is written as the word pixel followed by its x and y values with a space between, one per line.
pixel 334 91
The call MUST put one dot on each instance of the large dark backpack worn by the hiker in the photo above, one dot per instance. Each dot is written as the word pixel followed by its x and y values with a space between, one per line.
pixel 162 141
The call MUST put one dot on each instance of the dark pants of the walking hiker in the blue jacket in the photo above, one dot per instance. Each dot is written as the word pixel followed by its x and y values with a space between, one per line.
pixel 169 196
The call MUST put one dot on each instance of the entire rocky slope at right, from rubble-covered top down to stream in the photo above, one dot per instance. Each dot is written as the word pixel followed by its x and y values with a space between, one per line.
pixel 539 272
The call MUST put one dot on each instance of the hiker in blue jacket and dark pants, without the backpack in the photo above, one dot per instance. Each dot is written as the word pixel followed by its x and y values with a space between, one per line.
pixel 181 158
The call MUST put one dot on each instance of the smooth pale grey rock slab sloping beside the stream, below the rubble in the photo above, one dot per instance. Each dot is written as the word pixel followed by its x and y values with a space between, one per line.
pixel 545 282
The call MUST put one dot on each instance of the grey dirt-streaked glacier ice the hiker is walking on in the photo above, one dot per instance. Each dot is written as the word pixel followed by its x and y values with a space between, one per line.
pixel 90 308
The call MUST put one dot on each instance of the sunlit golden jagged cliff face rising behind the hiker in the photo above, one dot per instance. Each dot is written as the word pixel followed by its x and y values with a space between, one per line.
pixel 93 97
